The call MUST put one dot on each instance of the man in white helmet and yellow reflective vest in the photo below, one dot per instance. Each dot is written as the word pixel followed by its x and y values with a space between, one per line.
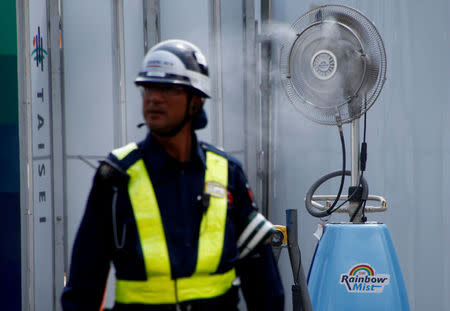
pixel 174 215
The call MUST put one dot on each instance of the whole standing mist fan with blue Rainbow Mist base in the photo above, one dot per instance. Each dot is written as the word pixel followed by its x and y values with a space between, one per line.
pixel 333 71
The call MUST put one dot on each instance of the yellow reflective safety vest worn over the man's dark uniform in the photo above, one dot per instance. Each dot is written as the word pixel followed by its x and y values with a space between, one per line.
pixel 159 288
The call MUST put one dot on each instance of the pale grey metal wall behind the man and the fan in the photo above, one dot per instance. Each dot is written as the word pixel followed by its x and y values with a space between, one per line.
pixel 102 48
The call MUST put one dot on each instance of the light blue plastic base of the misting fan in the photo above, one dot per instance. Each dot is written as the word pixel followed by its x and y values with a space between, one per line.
pixel 355 267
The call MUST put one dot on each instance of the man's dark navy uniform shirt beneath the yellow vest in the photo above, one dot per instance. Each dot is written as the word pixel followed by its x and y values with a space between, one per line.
pixel 178 188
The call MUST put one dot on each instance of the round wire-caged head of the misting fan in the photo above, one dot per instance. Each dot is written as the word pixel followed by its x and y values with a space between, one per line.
pixel 335 66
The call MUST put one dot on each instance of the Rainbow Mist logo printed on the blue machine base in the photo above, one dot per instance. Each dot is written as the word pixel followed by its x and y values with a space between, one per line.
pixel 362 279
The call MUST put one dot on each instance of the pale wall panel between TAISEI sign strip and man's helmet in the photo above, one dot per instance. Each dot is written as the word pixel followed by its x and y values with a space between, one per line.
pixel 88 77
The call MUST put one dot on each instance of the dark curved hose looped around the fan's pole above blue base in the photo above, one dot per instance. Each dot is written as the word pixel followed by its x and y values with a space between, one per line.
pixel 318 213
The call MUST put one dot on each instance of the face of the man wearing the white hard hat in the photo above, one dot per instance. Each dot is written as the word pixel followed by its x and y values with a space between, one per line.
pixel 163 106
